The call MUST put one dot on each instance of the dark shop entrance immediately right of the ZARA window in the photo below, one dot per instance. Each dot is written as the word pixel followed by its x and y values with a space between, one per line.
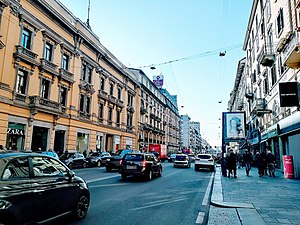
pixel 39 138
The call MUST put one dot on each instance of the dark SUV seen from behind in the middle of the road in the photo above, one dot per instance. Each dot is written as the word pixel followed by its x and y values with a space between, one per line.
pixel 140 164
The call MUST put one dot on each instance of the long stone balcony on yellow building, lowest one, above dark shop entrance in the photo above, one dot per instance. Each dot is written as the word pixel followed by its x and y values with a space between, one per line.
pixel 36 103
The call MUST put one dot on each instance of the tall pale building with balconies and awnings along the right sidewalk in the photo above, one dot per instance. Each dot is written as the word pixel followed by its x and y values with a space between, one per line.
pixel 271 73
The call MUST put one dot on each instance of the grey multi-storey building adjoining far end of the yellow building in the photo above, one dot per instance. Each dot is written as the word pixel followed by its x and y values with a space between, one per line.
pixel 158 118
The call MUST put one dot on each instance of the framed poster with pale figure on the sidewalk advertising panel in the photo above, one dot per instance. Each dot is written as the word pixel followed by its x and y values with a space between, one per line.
pixel 234 126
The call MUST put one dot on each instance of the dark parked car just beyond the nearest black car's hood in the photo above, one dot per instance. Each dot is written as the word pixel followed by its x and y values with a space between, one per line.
pixel 73 159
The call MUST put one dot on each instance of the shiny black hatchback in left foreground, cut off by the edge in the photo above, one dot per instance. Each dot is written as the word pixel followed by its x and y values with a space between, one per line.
pixel 36 188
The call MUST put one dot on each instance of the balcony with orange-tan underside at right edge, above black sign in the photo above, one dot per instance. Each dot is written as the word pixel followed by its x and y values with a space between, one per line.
pixel 291 53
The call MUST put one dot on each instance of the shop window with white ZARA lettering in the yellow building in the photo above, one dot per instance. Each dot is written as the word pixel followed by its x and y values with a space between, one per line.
pixel 15 136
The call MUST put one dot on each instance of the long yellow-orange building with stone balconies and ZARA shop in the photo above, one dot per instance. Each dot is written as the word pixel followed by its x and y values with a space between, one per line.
pixel 60 88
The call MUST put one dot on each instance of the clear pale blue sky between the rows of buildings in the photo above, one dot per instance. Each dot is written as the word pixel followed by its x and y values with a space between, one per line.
pixel 182 39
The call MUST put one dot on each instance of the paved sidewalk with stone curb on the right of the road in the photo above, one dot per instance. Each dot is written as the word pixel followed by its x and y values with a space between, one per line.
pixel 254 200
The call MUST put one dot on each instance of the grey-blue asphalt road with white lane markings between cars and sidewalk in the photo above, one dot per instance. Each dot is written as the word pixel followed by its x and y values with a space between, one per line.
pixel 180 196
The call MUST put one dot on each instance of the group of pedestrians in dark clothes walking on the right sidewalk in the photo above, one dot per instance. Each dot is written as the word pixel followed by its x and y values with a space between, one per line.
pixel 265 163
